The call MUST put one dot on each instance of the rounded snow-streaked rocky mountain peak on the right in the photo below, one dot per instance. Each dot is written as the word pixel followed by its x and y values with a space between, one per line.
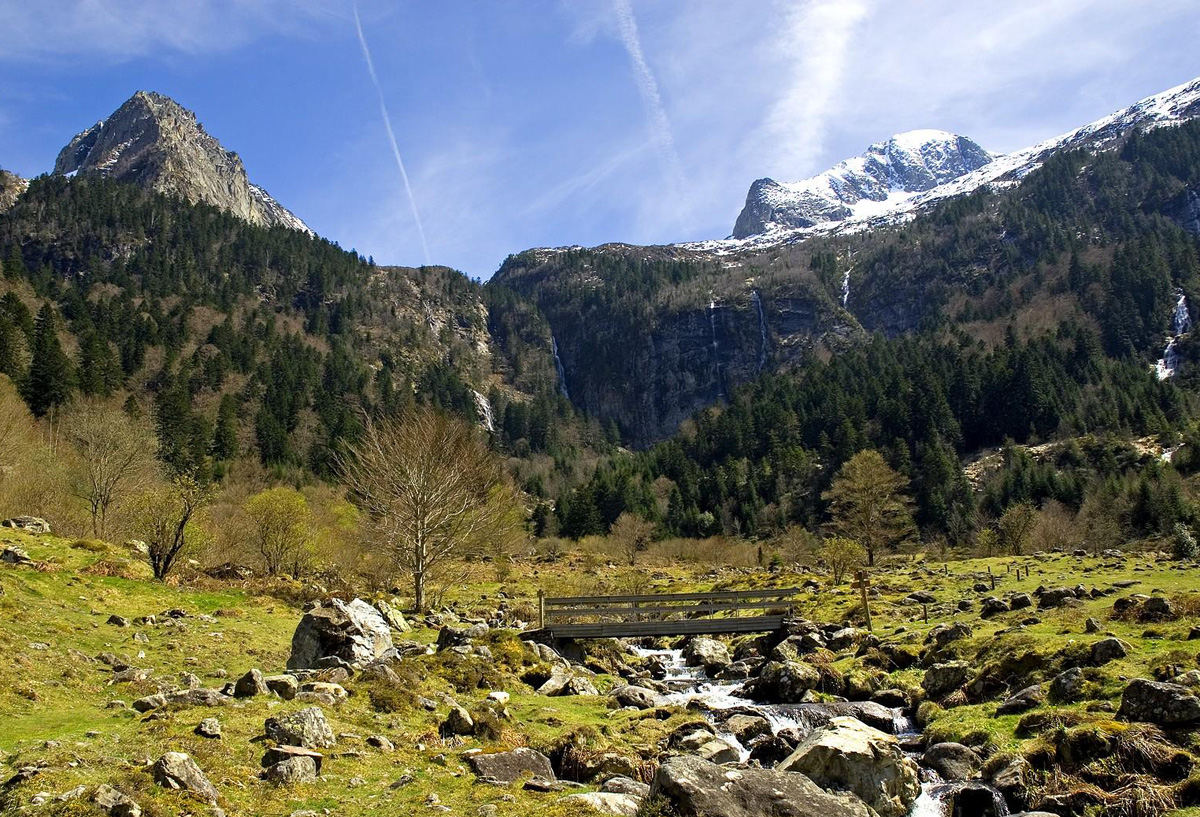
pixel 907 164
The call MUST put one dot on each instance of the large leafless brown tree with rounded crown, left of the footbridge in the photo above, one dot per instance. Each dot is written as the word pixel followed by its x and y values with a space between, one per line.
pixel 433 490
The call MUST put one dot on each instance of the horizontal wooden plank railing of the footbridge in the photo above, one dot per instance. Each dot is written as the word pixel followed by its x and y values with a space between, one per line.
pixel 662 606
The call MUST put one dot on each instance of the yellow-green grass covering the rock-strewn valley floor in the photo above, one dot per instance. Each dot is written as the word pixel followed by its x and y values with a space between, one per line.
pixel 55 699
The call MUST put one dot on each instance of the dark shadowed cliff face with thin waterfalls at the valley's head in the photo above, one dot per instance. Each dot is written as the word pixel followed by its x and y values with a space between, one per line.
pixel 651 363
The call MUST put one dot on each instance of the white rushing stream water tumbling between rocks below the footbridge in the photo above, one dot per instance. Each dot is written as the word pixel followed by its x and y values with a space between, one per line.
pixel 691 686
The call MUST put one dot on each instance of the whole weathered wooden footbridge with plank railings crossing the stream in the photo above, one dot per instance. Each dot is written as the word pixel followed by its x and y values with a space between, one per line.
pixel 665 615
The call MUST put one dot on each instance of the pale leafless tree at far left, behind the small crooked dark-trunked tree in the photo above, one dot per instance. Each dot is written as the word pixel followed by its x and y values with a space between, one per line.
pixel 115 458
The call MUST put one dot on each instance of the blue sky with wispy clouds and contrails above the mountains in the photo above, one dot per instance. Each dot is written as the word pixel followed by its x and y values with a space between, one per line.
pixel 547 123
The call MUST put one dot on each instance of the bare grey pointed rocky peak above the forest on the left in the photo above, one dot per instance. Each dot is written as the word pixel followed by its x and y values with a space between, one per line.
pixel 154 142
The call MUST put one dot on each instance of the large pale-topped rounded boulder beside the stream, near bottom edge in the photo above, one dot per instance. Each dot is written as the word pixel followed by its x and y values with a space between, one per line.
pixel 851 756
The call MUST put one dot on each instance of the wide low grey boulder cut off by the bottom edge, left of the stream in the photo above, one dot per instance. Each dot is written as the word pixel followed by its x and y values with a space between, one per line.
pixel 697 789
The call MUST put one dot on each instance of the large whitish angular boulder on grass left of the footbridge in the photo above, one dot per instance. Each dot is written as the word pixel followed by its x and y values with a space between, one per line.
pixel 355 633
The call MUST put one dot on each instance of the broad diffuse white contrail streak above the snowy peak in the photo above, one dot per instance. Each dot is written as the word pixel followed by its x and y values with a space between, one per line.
pixel 817 39
